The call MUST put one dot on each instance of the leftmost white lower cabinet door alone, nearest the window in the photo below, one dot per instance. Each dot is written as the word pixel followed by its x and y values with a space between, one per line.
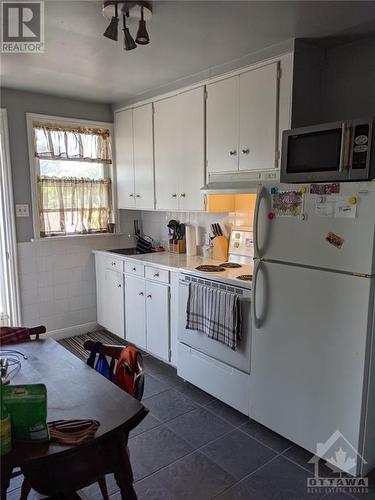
pixel 113 302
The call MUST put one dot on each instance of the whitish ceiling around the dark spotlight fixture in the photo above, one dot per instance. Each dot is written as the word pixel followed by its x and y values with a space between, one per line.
pixel 187 37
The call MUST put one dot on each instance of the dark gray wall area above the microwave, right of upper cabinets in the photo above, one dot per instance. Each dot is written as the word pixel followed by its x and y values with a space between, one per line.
pixel 333 83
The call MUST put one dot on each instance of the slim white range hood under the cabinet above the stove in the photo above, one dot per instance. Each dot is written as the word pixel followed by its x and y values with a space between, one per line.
pixel 238 182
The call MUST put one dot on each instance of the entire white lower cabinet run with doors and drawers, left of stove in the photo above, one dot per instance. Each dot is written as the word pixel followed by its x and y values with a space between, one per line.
pixel 133 307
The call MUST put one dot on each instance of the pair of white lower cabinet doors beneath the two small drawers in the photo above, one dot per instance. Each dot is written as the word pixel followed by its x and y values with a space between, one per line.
pixel 147 315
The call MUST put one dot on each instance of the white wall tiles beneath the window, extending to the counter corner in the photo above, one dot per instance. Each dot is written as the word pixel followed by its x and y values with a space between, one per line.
pixel 57 277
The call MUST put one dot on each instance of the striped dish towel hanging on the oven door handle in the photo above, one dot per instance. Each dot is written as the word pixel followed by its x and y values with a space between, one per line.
pixel 215 312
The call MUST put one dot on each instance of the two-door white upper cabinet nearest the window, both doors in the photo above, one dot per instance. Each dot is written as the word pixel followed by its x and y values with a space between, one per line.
pixel 134 158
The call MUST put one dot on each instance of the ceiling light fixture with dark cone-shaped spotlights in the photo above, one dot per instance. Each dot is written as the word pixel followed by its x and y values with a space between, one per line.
pixel 140 11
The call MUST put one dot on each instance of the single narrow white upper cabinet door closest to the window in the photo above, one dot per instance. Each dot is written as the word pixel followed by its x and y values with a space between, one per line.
pixel 124 158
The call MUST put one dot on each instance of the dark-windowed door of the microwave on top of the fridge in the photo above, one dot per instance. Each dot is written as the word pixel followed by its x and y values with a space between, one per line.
pixel 316 154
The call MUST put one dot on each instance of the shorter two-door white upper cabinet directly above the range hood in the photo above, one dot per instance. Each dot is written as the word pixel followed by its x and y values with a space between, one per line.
pixel 242 121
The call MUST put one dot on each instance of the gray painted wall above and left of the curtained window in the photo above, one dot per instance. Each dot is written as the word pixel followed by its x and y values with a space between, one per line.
pixel 18 103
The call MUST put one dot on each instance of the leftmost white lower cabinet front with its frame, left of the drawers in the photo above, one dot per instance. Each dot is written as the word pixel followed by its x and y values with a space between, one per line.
pixel 110 297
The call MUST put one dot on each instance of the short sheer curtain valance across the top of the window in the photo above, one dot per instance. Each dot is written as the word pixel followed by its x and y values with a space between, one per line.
pixel 54 142
